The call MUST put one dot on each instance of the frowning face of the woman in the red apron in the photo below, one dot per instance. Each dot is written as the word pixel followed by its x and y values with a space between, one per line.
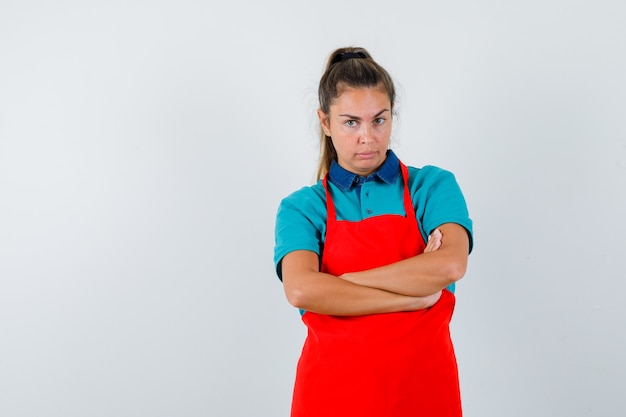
pixel 359 124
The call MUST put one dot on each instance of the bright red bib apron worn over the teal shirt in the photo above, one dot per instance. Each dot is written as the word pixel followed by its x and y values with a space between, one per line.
pixel 380 365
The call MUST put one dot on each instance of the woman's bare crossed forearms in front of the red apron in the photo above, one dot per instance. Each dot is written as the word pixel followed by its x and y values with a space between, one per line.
pixel 408 285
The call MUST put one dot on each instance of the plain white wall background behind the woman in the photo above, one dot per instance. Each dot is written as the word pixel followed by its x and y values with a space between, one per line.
pixel 145 146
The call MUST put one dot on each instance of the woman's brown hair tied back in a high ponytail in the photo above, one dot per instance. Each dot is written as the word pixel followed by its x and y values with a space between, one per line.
pixel 349 67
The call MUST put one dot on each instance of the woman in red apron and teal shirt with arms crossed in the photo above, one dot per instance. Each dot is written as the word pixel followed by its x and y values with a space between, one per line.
pixel 370 255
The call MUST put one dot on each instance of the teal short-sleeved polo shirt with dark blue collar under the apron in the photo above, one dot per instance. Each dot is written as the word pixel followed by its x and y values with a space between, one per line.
pixel 301 217
